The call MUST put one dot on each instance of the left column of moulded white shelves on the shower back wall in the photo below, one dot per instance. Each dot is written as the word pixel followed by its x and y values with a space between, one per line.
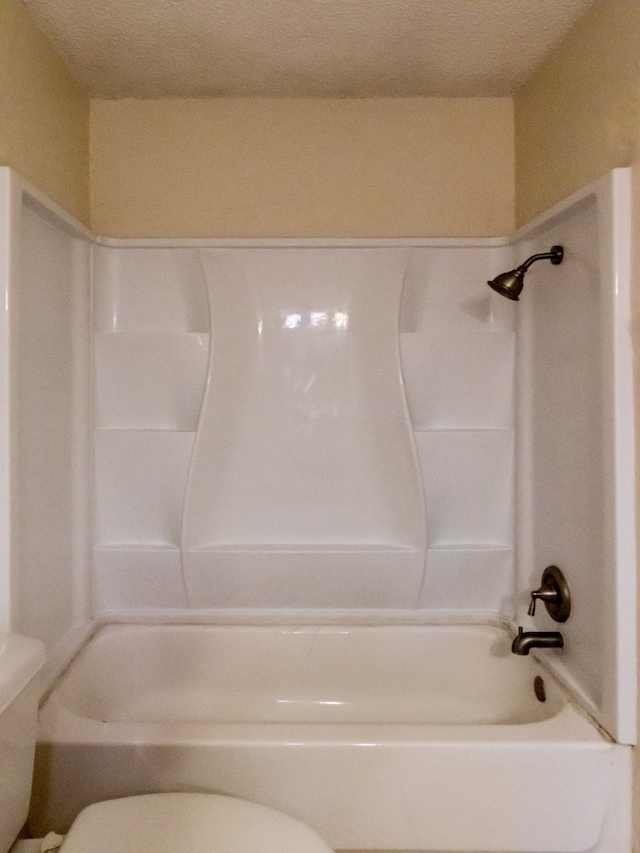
pixel 151 352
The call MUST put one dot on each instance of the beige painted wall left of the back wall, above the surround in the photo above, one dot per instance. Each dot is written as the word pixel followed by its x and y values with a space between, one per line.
pixel 44 114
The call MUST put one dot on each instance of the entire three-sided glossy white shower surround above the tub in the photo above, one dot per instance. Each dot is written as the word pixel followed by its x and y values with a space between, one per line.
pixel 313 430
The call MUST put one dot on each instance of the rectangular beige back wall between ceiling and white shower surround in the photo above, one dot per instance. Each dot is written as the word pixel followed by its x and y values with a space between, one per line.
pixel 314 167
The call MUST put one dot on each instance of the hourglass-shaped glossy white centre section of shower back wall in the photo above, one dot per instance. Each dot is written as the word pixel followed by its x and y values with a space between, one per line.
pixel 303 446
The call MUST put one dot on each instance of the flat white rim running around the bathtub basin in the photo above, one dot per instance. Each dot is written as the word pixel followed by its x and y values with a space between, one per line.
pixel 572 723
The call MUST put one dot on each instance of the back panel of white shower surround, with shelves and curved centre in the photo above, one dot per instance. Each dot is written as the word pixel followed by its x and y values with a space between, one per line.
pixel 251 456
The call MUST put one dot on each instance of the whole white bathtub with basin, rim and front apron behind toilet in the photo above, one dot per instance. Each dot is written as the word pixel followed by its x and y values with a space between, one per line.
pixel 381 738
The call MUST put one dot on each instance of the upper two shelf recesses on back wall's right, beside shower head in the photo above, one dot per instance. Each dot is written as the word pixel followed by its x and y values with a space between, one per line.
pixel 457 341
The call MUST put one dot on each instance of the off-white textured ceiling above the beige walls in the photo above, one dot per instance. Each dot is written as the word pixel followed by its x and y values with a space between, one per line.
pixel 330 48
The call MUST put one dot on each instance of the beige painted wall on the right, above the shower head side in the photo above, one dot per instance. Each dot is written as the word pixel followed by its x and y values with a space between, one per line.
pixel 577 118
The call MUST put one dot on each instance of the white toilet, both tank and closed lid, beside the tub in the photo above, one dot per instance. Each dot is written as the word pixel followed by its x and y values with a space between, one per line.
pixel 151 823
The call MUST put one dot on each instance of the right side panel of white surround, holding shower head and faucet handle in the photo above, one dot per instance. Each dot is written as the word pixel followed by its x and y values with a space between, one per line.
pixel 576 437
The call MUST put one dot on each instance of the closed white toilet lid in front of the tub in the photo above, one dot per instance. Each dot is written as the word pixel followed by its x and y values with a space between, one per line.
pixel 188 823
